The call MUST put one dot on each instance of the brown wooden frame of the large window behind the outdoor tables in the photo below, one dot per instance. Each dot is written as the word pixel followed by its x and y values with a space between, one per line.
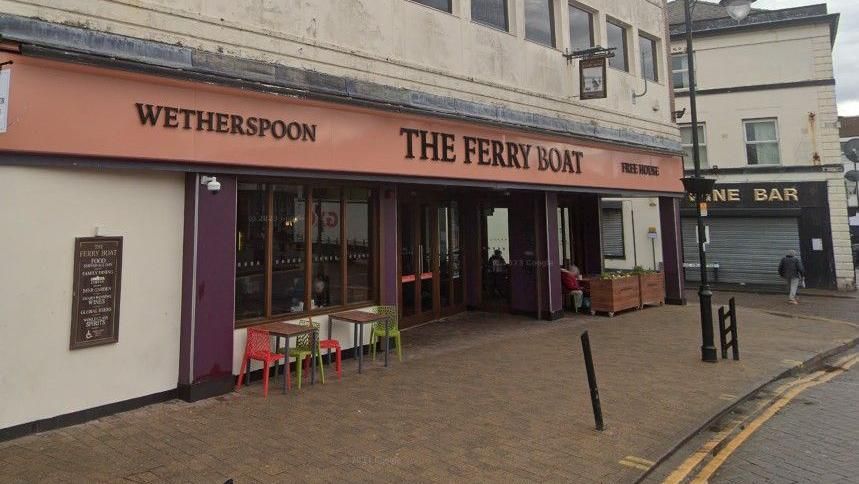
pixel 307 188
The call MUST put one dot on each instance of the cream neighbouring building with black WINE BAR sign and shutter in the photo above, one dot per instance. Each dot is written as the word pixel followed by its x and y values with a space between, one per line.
pixel 769 135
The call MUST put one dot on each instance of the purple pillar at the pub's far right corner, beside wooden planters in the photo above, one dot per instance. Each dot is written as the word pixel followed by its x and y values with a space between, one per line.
pixel 672 249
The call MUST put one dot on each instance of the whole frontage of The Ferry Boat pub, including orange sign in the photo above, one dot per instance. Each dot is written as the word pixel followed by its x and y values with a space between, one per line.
pixel 233 164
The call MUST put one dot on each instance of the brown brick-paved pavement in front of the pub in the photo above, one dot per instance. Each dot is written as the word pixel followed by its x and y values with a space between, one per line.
pixel 479 397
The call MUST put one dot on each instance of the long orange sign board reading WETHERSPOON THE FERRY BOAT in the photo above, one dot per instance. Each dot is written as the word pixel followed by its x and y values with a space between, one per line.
pixel 60 108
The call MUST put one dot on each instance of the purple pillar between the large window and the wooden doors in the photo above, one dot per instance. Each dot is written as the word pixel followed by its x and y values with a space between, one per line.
pixel 388 270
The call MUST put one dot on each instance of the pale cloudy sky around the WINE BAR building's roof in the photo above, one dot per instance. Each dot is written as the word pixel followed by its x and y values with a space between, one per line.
pixel 846 47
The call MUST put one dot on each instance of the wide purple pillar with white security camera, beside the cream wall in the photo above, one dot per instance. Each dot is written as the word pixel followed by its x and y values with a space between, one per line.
pixel 208 289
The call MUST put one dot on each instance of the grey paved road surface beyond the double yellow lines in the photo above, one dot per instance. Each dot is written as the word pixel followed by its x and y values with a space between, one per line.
pixel 814 439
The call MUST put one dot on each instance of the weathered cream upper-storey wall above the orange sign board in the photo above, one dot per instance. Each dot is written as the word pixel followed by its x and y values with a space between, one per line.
pixel 403 44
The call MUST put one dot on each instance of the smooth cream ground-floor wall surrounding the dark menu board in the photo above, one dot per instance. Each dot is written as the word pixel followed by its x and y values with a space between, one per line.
pixel 43 210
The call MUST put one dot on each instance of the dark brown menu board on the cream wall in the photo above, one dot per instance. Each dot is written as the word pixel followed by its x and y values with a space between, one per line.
pixel 95 293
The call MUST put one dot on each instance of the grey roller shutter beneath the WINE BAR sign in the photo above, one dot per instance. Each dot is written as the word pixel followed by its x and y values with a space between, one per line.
pixel 748 250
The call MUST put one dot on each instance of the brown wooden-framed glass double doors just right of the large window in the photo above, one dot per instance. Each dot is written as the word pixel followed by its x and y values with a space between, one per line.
pixel 431 259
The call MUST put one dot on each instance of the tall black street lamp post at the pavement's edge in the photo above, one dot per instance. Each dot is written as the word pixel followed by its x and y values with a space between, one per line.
pixel 700 186
